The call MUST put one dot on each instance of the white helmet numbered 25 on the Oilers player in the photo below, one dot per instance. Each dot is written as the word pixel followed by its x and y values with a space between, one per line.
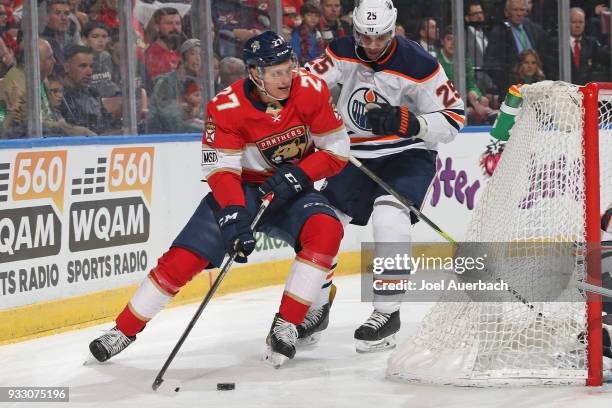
pixel 374 17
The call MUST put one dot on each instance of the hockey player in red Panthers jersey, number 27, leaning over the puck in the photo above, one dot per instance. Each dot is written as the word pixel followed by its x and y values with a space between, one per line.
pixel 274 132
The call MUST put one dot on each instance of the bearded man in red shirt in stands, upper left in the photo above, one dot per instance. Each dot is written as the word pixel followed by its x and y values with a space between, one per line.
pixel 162 55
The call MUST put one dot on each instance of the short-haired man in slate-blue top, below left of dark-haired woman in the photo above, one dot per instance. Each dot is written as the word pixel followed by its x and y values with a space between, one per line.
pixel 82 104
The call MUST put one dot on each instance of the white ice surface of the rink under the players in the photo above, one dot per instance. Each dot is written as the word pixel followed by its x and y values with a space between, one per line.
pixel 226 346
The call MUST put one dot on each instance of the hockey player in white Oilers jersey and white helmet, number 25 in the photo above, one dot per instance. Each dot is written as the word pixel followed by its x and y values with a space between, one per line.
pixel 397 104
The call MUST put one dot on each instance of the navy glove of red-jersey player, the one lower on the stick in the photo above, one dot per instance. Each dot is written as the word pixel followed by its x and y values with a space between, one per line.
pixel 235 225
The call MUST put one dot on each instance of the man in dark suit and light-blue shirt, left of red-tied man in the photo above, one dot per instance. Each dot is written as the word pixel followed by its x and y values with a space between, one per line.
pixel 511 37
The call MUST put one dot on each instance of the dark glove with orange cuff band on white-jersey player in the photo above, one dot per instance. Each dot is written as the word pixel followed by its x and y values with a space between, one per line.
pixel 392 120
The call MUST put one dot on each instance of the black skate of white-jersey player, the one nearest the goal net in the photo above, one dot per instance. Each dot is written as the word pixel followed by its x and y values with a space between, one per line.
pixel 378 332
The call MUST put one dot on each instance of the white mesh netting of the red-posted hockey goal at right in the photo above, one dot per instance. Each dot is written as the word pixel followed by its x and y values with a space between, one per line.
pixel 535 197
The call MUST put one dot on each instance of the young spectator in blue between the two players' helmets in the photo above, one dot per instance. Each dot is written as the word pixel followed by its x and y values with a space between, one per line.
pixel 306 39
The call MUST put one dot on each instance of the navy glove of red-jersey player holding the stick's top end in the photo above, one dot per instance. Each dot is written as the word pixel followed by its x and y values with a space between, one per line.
pixel 286 183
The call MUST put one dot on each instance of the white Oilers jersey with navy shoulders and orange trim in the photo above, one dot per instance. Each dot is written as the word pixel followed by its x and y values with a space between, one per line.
pixel 408 76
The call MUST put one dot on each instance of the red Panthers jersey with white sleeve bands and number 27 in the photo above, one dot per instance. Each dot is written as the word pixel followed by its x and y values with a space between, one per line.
pixel 246 139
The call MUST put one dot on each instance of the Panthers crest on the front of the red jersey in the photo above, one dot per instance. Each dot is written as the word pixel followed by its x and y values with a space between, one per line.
pixel 286 147
